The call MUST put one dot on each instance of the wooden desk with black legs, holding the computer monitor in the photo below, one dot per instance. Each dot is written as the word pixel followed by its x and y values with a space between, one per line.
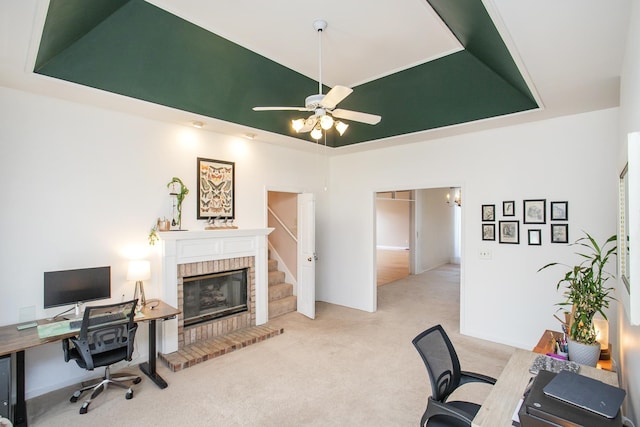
pixel 14 341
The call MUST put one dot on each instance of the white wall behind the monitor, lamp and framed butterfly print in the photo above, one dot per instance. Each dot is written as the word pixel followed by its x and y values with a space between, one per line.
pixel 83 186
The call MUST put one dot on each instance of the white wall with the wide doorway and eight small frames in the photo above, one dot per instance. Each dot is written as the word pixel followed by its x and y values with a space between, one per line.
pixel 569 158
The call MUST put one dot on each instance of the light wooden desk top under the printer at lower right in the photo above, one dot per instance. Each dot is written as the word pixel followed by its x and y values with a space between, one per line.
pixel 503 398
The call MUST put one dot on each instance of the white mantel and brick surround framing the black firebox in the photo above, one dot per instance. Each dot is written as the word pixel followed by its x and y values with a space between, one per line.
pixel 193 253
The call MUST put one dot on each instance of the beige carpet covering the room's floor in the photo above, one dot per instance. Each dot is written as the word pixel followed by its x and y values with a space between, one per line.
pixel 346 368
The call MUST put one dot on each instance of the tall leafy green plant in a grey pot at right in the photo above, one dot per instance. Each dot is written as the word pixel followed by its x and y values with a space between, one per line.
pixel 585 295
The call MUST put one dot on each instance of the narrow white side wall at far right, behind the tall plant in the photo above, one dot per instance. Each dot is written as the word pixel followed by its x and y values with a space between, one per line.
pixel 629 341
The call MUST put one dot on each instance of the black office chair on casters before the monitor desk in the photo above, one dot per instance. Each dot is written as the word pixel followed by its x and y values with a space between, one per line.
pixel 106 337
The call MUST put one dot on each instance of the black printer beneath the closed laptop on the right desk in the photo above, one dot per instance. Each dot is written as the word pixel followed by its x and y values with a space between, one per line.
pixel 540 410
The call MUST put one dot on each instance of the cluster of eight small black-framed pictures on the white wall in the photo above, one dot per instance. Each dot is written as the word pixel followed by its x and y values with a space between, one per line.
pixel 538 218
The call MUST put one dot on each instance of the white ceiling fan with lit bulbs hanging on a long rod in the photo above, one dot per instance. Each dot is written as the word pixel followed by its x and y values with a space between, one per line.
pixel 324 106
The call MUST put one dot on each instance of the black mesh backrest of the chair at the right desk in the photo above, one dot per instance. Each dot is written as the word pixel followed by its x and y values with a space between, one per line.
pixel 441 361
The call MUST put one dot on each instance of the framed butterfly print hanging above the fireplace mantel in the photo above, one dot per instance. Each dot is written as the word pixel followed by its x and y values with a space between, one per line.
pixel 216 193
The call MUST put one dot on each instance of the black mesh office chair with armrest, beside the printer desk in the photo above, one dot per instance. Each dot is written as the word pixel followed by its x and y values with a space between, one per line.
pixel 443 366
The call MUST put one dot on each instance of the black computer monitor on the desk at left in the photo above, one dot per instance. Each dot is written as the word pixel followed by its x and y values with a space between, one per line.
pixel 76 286
